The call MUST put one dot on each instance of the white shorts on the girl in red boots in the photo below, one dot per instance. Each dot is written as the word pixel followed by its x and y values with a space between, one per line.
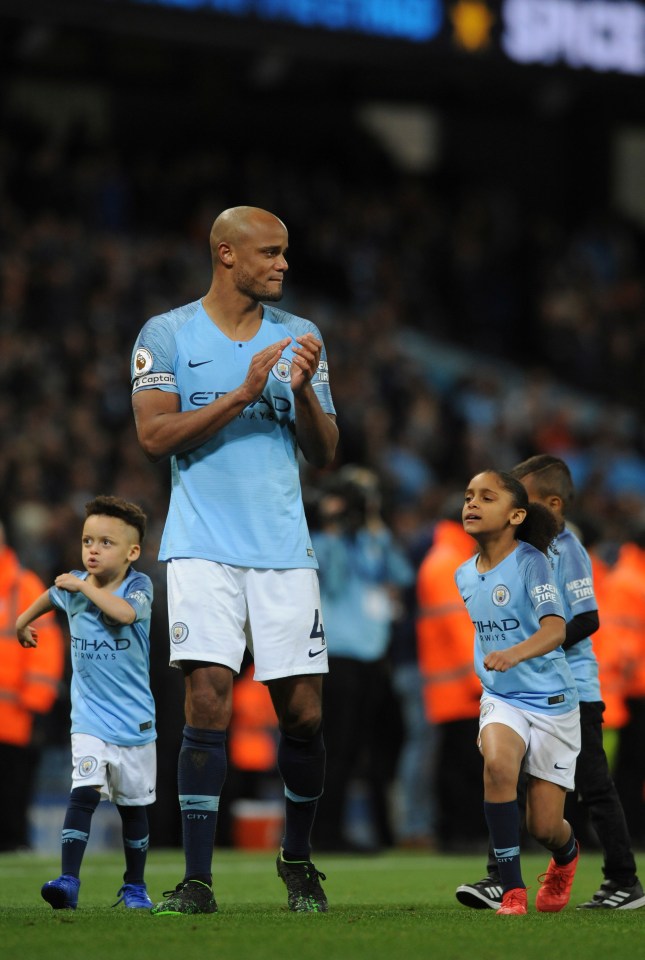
pixel 552 742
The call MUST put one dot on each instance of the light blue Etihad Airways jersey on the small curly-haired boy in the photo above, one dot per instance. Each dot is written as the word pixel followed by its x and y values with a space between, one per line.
pixel 111 696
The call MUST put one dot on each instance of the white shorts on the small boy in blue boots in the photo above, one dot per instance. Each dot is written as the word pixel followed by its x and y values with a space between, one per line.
pixel 126 775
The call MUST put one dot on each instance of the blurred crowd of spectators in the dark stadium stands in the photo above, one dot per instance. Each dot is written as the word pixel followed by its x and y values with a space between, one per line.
pixel 461 329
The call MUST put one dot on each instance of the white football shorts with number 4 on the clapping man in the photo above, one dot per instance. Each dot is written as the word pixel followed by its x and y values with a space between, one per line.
pixel 216 610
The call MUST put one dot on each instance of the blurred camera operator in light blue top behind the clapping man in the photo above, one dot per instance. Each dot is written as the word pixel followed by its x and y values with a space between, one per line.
pixel 362 572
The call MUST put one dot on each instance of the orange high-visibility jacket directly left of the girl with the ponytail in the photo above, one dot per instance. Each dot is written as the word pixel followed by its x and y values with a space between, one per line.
pixel 445 633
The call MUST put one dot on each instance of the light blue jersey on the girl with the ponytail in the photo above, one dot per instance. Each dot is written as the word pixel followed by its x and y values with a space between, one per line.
pixel 506 605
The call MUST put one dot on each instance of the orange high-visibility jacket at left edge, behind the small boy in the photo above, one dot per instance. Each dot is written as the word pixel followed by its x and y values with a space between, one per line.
pixel 29 677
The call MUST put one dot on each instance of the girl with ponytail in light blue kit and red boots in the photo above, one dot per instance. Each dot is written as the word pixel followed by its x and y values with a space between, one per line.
pixel 529 712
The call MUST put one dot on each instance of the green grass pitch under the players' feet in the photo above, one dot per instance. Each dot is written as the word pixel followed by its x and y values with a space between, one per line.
pixel 398 906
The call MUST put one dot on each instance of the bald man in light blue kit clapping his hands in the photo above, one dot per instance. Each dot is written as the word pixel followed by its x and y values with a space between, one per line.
pixel 231 389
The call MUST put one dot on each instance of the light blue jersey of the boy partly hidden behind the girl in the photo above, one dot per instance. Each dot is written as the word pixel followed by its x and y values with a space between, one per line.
pixel 573 574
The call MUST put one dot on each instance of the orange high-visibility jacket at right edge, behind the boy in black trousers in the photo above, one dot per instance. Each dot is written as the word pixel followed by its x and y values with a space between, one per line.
pixel 620 641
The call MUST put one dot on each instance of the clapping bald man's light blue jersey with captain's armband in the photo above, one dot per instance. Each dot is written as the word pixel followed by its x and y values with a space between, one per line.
pixel 235 498
